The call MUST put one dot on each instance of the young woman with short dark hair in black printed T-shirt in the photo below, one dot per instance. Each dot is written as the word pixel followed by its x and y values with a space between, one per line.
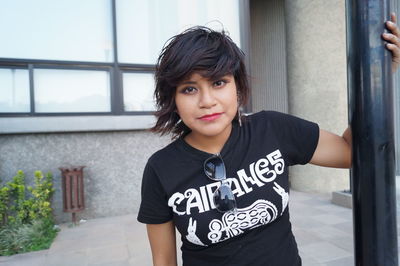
pixel 223 182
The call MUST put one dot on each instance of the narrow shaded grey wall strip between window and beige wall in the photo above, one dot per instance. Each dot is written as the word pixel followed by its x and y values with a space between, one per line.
pixel 268 56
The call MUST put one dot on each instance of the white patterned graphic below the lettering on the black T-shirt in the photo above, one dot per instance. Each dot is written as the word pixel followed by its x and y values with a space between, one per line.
pixel 259 213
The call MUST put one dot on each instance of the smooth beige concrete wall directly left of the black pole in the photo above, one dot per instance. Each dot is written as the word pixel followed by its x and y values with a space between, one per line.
pixel 316 58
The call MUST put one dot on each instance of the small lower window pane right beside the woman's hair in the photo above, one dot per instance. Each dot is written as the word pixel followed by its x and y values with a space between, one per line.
pixel 138 92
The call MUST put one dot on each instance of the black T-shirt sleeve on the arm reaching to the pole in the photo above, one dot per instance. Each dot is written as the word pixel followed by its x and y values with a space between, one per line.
pixel 298 137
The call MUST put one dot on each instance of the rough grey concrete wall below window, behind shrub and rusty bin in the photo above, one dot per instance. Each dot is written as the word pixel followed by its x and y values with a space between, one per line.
pixel 114 166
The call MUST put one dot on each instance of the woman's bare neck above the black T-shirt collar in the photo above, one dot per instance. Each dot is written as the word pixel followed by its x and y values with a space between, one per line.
pixel 209 144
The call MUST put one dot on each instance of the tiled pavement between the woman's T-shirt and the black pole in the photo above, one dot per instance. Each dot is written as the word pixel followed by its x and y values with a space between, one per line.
pixel 323 231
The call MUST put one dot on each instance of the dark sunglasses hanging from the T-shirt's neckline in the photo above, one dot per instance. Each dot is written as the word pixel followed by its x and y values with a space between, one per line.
pixel 224 200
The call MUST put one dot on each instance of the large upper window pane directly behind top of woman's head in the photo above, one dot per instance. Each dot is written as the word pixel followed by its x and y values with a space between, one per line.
pixel 144 26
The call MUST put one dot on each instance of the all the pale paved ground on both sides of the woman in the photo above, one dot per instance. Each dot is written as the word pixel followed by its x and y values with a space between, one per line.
pixel 322 230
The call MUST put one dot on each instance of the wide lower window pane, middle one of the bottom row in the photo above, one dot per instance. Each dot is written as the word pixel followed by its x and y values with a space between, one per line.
pixel 71 90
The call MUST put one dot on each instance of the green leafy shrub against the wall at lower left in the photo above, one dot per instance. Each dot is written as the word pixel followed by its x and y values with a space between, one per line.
pixel 26 219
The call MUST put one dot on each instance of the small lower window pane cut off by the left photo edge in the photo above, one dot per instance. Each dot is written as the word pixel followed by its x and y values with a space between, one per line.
pixel 14 91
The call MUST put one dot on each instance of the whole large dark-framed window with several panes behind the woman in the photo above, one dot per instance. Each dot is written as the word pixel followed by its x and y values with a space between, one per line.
pixel 93 57
